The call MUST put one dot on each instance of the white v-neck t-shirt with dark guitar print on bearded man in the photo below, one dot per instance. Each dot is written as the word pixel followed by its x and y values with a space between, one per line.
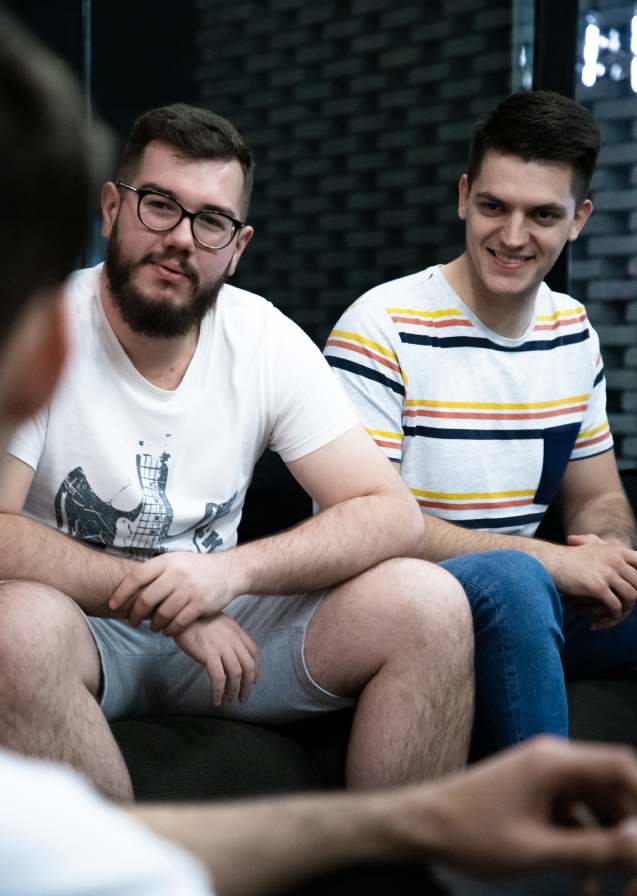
pixel 123 464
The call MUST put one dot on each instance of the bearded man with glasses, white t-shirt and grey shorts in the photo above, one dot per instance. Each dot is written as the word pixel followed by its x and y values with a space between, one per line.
pixel 178 382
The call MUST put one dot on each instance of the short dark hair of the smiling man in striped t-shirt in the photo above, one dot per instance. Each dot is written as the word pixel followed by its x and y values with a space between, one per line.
pixel 539 126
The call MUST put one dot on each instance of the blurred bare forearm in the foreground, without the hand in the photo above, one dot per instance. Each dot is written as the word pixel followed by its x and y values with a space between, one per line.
pixel 268 846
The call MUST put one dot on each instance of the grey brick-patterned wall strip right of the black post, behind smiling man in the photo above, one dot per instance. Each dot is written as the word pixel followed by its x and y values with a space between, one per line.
pixel 604 258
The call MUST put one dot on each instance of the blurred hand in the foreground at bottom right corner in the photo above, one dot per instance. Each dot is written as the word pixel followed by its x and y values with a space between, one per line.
pixel 542 805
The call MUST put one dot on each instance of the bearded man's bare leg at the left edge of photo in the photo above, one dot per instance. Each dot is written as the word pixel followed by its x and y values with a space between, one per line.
pixel 49 680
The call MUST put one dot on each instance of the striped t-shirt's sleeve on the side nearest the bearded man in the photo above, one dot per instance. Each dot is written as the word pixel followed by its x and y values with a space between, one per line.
pixel 363 350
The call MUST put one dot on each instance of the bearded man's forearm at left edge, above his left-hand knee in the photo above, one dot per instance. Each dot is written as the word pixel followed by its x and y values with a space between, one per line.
pixel 32 551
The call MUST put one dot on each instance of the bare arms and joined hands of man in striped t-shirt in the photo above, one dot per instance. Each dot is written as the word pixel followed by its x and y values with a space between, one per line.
pixel 599 572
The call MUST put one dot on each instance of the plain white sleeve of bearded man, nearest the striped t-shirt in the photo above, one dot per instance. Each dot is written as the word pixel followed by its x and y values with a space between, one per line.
pixel 312 408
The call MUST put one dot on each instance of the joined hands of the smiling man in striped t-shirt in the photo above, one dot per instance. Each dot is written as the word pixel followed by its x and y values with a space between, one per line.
pixel 597 577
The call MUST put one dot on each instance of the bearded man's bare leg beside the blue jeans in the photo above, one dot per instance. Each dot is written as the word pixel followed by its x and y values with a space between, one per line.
pixel 401 636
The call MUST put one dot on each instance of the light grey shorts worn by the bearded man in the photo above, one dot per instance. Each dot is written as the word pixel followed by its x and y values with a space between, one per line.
pixel 146 674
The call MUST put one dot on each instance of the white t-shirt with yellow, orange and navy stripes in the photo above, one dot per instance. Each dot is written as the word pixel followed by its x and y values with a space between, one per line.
pixel 482 426
